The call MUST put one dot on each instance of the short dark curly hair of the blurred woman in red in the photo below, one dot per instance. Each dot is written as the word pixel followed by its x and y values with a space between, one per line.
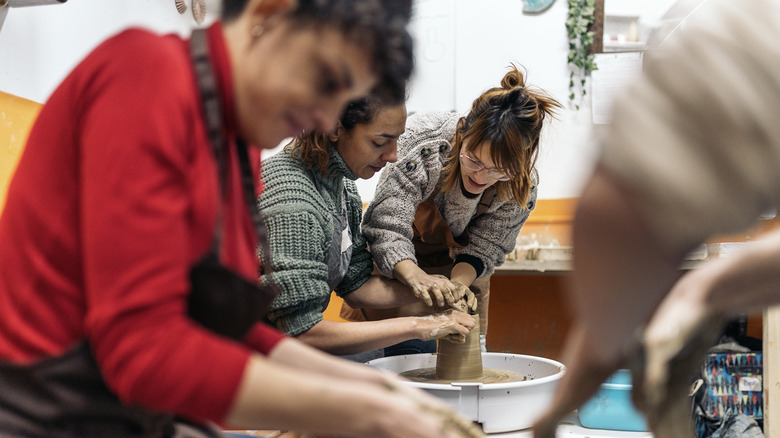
pixel 379 26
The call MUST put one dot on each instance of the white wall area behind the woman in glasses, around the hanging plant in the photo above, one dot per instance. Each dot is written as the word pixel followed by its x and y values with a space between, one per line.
pixel 478 40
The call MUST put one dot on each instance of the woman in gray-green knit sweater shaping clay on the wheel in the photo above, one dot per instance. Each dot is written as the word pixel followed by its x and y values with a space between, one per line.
pixel 313 211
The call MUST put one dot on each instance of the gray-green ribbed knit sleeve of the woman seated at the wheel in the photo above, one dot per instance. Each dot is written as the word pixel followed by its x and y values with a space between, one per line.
pixel 299 235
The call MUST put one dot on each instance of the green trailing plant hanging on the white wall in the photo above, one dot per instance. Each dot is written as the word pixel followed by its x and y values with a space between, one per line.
pixel 581 61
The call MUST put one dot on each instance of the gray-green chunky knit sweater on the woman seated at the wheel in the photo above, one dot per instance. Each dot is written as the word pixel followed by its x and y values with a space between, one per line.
pixel 300 230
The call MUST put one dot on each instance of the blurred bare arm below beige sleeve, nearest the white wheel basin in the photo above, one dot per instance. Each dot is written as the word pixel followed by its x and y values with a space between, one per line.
pixel 620 275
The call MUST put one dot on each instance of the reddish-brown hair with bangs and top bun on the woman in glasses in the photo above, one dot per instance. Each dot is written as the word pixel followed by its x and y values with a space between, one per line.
pixel 511 118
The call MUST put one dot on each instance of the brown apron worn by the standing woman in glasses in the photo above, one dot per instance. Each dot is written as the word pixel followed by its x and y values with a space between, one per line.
pixel 432 242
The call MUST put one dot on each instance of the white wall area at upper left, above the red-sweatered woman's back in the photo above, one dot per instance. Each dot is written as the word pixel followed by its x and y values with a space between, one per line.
pixel 39 45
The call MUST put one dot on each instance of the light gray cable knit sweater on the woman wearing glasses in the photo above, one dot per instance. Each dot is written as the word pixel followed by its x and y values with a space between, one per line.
pixel 403 185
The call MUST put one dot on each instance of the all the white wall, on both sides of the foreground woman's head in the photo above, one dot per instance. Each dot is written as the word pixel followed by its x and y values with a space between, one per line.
pixel 462 48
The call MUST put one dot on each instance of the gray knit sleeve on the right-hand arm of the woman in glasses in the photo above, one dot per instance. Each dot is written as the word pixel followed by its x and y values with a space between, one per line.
pixel 493 235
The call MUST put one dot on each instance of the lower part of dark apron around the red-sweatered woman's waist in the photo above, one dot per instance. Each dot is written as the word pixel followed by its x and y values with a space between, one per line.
pixel 66 397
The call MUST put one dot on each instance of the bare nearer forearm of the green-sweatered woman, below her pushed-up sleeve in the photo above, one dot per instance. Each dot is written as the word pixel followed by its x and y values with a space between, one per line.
pixel 355 337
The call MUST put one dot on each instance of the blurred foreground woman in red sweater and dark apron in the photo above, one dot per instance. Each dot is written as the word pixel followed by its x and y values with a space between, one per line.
pixel 127 263
